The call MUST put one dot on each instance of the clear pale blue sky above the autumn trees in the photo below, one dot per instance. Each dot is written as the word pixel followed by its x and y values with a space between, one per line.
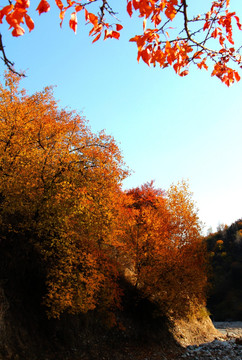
pixel 168 128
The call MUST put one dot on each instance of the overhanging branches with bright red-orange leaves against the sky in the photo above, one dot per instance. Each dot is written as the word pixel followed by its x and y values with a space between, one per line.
pixel 173 35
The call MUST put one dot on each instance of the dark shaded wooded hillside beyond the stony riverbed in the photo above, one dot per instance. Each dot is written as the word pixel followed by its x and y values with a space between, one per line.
pixel 225 272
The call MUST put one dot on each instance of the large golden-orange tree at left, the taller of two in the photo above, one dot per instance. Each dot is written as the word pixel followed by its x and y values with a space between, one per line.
pixel 59 190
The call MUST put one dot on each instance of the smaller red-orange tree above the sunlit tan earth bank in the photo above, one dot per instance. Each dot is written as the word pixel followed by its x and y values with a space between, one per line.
pixel 164 254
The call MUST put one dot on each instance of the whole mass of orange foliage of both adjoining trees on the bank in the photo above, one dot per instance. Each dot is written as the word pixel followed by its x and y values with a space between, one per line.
pixel 60 193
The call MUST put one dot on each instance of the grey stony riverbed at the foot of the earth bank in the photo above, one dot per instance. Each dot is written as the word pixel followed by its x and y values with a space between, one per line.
pixel 228 346
